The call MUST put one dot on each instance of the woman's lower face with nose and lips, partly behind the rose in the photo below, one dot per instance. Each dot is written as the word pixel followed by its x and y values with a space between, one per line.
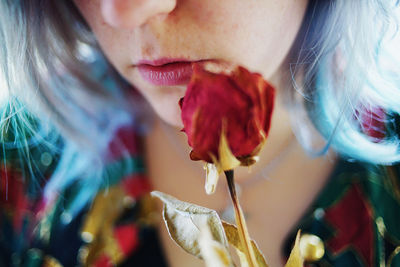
pixel 152 43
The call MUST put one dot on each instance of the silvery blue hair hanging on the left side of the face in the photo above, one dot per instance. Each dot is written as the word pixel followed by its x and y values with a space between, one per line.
pixel 62 96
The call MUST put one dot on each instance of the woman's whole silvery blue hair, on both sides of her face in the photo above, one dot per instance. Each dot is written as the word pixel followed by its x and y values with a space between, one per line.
pixel 339 68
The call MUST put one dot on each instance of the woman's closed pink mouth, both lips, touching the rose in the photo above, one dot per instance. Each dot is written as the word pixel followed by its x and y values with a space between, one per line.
pixel 167 72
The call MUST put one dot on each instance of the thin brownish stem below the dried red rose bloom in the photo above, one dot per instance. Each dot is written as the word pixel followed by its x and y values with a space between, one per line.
pixel 240 221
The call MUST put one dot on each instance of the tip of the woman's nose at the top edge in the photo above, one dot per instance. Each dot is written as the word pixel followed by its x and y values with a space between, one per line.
pixel 134 13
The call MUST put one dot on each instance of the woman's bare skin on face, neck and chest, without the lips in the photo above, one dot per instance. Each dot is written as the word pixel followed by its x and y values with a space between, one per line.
pixel 257 34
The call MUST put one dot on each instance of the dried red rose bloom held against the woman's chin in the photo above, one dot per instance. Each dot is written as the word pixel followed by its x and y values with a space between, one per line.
pixel 226 110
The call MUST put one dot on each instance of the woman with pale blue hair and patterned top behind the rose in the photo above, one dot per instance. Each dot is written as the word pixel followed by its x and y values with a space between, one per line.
pixel 71 117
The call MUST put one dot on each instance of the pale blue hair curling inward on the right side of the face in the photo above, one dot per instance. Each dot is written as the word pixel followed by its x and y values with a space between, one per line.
pixel 346 81
